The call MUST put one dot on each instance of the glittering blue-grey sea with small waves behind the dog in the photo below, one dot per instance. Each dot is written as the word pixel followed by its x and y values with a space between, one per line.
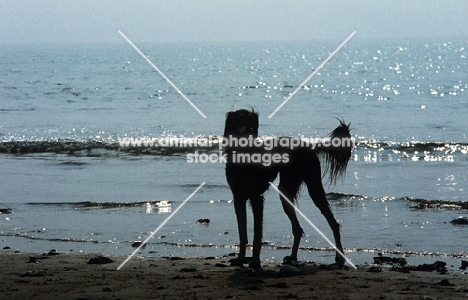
pixel 71 181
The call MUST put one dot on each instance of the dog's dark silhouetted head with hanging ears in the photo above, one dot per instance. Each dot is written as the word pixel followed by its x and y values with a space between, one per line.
pixel 241 123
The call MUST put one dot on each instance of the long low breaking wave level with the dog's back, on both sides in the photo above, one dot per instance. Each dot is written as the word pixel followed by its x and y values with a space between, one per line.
pixel 369 151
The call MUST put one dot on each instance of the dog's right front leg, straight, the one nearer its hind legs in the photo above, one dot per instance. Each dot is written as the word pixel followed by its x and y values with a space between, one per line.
pixel 257 209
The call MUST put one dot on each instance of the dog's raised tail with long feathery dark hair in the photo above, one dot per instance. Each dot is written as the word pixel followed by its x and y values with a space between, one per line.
pixel 337 151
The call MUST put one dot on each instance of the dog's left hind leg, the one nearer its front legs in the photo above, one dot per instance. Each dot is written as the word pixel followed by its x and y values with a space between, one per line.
pixel 289 189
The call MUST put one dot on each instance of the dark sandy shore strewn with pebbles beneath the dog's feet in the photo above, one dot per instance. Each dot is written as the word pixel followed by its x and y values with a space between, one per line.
pixel 70 276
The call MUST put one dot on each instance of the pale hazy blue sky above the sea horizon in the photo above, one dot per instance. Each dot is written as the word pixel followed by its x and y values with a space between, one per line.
pixel 203 20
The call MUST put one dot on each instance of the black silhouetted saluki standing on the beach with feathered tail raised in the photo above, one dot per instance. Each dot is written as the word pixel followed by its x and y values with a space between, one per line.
pixel 253 163
